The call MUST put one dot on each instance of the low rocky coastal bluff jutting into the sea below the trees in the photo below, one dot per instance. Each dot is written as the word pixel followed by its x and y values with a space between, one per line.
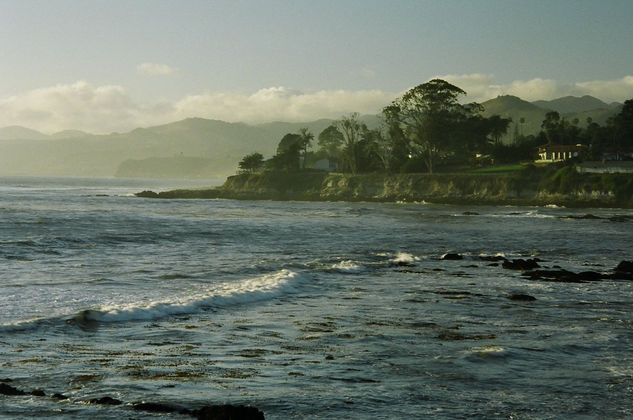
pixel 531 186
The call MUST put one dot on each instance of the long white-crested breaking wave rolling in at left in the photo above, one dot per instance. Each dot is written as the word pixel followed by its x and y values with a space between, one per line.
pixel 217 296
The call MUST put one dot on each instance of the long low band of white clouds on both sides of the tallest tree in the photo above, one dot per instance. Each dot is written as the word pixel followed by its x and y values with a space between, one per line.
pixel 103 109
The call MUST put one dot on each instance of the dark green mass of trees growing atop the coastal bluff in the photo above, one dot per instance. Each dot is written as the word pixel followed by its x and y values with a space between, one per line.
pixel 428 130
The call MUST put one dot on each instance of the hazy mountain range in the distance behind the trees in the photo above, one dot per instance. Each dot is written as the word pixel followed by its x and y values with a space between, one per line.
pixel 202 148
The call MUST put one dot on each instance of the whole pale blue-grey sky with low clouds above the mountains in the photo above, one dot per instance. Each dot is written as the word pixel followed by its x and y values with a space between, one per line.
pixel 113 65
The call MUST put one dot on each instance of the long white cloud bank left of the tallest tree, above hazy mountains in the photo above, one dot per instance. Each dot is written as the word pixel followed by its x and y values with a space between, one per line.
pixel 104 109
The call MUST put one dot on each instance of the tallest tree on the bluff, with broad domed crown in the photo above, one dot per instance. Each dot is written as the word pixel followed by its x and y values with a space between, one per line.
pixel 429 116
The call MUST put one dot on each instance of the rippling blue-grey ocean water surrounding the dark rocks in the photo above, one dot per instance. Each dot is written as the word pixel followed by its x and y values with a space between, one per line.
pixel 306 310
